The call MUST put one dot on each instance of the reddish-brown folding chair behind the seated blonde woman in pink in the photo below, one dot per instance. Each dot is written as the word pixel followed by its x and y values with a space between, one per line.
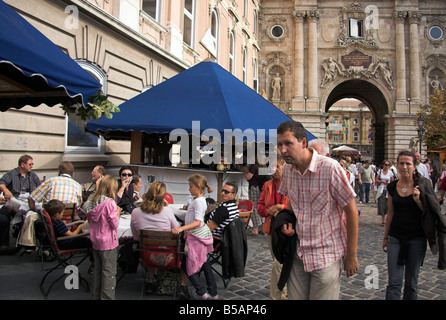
pixel 160 250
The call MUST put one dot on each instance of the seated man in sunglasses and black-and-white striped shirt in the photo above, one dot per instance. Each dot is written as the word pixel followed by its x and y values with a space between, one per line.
pixel 225 212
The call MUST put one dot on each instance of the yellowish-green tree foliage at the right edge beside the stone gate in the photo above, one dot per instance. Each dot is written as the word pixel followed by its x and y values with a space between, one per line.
pixel 434 115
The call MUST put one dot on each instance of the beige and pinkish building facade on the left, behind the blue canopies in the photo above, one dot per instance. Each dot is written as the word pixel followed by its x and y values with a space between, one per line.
pixel 129 46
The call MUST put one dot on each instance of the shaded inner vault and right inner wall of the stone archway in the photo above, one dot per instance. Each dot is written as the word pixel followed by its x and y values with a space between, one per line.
pixel 373 97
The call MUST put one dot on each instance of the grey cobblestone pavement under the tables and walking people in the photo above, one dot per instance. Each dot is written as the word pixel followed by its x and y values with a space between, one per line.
pixel 20 275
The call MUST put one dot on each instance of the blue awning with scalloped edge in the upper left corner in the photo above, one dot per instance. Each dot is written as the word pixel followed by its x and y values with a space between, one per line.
pixel 33 70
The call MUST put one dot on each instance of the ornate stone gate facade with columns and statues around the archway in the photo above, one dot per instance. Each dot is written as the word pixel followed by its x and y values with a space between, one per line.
pixel 388 54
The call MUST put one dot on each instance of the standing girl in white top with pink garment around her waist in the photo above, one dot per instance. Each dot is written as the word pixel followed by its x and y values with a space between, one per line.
pixel 199 240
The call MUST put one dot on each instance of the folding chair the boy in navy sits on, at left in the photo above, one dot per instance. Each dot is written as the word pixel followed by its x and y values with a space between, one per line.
pixel 63 257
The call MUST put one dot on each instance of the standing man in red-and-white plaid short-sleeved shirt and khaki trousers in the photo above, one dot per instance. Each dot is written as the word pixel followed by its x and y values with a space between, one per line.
pixel 326 217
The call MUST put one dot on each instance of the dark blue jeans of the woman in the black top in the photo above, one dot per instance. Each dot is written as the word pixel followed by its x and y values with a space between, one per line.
pixel 415 252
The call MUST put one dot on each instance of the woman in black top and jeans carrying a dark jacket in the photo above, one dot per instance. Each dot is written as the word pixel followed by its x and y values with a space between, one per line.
pixel 414 216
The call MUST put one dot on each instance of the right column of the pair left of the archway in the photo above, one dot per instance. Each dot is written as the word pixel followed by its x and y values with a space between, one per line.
pixel 312 69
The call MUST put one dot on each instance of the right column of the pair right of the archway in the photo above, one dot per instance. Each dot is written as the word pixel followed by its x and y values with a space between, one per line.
pixel 414 22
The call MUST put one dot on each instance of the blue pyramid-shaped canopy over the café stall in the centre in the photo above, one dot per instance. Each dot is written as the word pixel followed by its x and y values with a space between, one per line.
pixel 205 94
